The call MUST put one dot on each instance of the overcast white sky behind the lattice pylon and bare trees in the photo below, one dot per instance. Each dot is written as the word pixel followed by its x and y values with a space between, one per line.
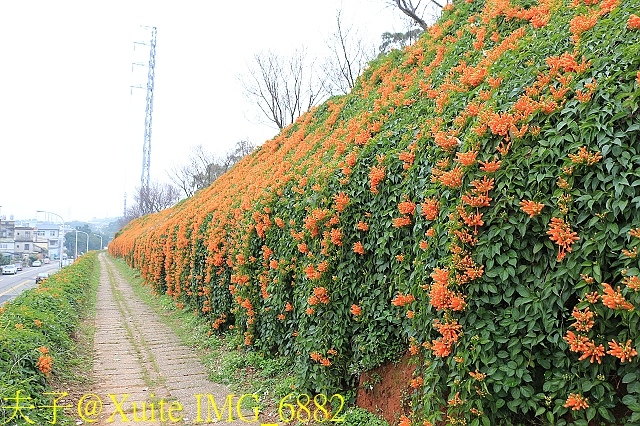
pixel 71 133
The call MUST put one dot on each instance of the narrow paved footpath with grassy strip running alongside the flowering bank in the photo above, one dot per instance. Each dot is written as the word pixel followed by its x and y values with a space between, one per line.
pixel 143 373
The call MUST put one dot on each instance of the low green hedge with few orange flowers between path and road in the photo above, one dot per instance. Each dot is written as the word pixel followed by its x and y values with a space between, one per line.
pixel 35 338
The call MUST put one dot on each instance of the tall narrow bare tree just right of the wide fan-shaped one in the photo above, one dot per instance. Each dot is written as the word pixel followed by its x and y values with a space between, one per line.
pixel 349 56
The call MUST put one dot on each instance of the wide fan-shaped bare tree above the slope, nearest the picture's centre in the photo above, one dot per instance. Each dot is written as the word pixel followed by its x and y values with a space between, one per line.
pixel 282 88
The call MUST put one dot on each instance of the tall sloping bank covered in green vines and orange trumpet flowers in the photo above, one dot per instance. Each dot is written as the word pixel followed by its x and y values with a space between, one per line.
pixel 475 200
